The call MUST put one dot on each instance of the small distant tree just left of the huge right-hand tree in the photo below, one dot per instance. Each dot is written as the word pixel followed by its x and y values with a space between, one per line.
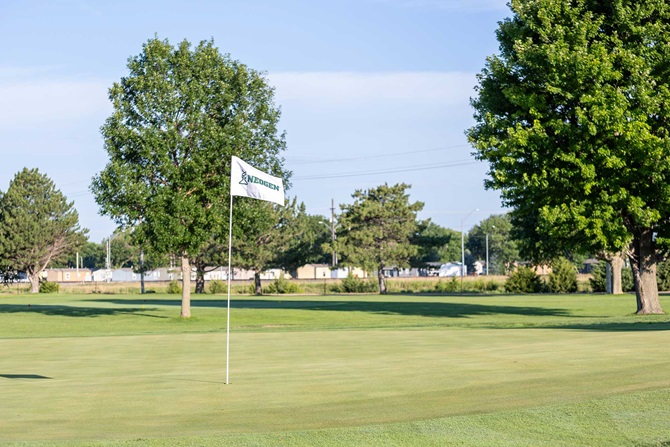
pixel 503 249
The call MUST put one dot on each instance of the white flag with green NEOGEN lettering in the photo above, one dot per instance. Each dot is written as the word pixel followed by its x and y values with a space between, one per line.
pixel 247 181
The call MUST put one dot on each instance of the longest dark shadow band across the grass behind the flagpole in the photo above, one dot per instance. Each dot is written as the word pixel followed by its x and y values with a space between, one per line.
pixel 423 309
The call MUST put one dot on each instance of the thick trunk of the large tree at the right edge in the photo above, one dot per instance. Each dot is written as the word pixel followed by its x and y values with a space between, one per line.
pixel 643 265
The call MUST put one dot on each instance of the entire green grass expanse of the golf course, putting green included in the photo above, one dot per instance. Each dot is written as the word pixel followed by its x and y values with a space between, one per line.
pixel 340 370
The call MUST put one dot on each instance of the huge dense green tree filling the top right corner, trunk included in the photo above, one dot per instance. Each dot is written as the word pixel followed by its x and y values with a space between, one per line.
pixel 572 116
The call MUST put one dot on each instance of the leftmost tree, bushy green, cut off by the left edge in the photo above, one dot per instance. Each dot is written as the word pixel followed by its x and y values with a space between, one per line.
pixel 37 224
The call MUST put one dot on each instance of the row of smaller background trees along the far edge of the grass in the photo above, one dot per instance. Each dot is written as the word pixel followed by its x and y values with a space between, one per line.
pixel 40 229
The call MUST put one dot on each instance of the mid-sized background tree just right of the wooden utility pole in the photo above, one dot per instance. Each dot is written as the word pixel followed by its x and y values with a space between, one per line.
pixel 377 229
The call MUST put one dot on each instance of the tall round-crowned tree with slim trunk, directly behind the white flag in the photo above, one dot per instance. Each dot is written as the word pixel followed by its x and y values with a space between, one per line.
pixel 179 116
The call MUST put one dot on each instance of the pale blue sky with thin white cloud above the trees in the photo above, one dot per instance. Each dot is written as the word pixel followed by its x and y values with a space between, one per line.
pixel 371 91
